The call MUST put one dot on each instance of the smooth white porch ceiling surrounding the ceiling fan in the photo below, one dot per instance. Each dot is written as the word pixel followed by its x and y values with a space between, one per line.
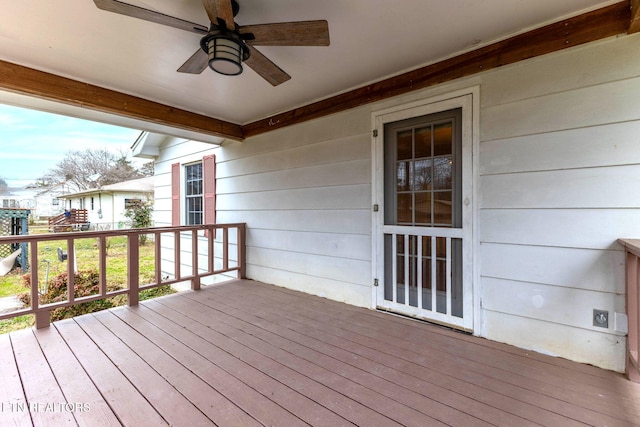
pixel 370 40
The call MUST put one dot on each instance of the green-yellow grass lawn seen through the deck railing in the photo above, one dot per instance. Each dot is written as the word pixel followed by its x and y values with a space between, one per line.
pixel 87 259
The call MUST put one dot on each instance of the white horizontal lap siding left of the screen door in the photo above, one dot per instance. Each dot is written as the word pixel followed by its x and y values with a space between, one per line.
pixel 305 194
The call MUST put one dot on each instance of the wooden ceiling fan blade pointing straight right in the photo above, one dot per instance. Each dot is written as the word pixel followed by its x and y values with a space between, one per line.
pixel 302 33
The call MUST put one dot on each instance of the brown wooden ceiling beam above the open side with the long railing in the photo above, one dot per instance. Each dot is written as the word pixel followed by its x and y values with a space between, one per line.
pixel 28 81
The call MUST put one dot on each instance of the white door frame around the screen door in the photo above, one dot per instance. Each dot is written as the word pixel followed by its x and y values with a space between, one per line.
pixel 469 101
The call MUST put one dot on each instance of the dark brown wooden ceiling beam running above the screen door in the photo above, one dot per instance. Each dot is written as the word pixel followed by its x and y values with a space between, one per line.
pixel 588 27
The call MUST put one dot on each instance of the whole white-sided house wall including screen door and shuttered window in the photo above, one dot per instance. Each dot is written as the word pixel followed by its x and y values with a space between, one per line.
pixel 523 202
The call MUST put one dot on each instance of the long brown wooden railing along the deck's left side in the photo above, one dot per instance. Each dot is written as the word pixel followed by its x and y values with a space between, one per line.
pixel 210 247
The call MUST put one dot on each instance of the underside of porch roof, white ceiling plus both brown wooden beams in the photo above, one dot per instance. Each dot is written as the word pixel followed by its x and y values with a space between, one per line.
pixel 71 57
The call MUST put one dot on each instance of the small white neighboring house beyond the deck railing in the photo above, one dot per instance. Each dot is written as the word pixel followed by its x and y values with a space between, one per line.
pixel 106 205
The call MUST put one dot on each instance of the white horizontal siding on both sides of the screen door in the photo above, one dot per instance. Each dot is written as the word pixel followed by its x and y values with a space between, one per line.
pixel 559 162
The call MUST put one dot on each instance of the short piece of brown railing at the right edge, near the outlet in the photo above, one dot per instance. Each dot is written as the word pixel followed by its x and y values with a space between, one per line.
pixel 632 248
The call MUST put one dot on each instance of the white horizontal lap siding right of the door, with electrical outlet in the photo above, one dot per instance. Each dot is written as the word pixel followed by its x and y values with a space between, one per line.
pixel 559 172
